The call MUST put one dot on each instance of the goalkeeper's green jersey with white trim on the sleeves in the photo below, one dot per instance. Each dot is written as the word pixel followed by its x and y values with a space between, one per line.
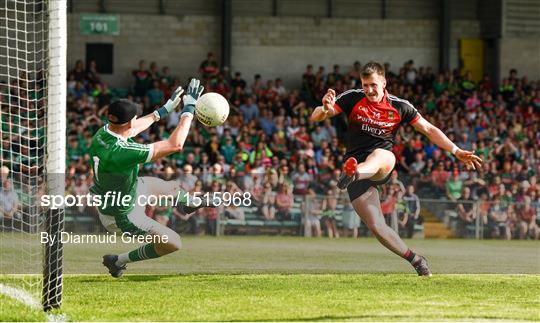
pixel 115 161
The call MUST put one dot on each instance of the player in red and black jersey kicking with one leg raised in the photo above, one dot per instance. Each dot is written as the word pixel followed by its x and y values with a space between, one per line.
pixel 374 117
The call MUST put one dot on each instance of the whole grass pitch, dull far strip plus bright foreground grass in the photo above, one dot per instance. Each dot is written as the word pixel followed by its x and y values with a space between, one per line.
pixel 296 279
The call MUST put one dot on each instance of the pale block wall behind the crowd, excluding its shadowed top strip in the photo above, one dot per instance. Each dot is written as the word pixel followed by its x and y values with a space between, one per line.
pixel 273 46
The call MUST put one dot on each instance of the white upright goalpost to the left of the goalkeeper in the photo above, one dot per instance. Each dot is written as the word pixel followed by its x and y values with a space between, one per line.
pixel 56 146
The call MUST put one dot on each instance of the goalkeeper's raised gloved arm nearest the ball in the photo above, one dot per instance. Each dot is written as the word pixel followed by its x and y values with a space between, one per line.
pixel 175 142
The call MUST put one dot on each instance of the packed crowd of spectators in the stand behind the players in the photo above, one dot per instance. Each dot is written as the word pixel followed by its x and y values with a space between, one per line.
pixel 271 148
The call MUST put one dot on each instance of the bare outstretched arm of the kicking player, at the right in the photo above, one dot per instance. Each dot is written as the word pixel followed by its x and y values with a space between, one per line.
pixel 438 137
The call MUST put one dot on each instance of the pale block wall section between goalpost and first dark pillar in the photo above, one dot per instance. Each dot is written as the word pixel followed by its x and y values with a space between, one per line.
pixel 175 42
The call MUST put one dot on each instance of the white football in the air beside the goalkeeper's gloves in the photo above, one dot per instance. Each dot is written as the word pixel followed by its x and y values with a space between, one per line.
pixel 212 109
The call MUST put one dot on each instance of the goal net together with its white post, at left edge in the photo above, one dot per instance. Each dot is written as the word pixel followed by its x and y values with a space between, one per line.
pixel 32 97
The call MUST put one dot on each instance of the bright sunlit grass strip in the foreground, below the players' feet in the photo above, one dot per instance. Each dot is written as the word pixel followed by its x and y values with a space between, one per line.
pixel 275 297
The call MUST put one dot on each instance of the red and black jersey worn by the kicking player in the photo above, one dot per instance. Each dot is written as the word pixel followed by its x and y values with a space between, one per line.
pixel 373 125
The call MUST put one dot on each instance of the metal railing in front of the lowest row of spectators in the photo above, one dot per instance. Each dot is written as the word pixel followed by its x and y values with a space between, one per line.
pixel 463 218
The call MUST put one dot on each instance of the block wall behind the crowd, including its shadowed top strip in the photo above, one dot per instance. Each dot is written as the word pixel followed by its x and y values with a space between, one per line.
pixel 273 41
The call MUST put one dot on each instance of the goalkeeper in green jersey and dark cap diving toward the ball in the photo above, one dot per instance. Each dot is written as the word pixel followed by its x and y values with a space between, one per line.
pixel 115 159
